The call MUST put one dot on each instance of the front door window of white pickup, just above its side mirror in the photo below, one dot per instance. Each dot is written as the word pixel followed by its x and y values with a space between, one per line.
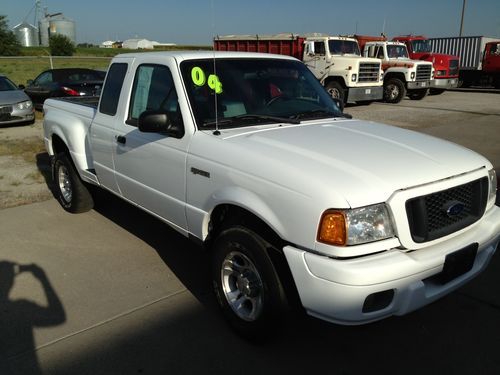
pixel 153 90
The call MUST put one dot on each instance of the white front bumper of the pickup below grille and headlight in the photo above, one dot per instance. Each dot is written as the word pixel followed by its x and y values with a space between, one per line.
pixel 336 290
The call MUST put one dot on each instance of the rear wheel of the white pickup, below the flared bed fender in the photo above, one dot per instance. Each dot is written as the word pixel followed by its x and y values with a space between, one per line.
pixel 70 190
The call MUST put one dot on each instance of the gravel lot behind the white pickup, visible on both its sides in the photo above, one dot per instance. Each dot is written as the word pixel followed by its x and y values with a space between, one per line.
pixel 471 119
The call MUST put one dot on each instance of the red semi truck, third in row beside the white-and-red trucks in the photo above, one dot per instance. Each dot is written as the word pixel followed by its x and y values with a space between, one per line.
pixel 445 65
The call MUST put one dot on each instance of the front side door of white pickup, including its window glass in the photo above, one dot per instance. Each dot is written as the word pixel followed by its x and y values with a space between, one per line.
pixel 150 168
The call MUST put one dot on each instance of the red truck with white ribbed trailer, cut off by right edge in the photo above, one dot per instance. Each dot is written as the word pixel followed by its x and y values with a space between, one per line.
pixel 479 58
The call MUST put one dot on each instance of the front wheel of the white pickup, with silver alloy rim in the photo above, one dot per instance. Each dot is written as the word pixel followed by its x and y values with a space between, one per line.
pixel 246 284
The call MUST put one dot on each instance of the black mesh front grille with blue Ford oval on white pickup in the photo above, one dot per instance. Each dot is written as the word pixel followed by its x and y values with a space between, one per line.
pixel 439 214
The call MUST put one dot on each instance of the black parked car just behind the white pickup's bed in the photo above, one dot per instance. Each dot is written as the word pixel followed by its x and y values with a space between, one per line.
pixel 64 82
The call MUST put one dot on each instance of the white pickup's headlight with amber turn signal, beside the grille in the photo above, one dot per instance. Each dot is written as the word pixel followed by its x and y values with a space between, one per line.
pixel 355 226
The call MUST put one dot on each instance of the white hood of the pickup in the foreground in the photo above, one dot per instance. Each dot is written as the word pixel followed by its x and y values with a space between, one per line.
pixel 362 162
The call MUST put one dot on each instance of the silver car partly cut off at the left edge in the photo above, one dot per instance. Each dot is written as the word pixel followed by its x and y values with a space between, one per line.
pixel 15 106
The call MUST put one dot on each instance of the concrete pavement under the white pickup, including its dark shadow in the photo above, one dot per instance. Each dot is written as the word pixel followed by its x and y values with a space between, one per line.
pixel 135 300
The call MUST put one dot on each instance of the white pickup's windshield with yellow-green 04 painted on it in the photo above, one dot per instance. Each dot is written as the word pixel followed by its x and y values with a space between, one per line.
pixel 249 92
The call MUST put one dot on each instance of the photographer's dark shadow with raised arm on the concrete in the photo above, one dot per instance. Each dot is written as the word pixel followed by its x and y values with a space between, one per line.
pixel 18 318
